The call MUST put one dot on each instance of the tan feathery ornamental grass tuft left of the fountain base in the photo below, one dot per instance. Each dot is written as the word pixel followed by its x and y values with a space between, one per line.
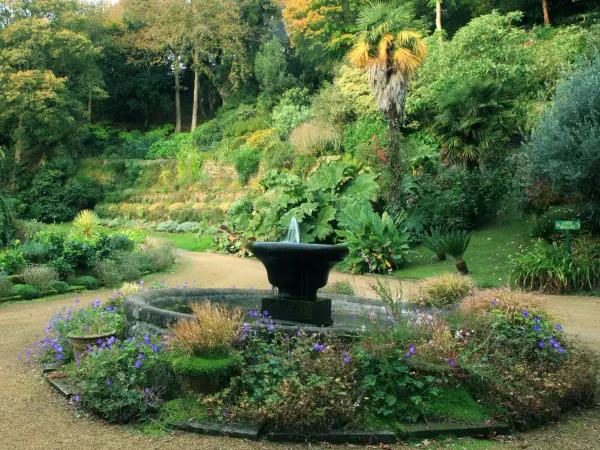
pixel 211 333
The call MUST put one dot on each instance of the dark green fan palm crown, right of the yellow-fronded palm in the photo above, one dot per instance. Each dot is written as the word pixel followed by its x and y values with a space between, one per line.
pixel 470 116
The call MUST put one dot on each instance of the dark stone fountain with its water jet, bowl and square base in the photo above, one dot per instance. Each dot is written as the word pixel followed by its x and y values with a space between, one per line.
pixel 298 271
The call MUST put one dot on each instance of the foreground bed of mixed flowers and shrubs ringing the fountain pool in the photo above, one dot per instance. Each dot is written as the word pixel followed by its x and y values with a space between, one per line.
pixel 492 360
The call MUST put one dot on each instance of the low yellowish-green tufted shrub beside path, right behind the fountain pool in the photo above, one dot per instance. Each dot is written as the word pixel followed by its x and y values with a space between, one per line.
pixel 446 289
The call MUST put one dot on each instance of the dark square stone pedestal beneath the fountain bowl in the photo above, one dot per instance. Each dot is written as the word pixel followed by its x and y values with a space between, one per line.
pixel 316 312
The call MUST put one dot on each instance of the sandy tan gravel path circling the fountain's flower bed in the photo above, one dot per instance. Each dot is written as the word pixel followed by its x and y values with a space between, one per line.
pixel 32 416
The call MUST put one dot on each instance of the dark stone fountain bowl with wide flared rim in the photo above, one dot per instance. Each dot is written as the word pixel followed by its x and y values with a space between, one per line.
pixel 298 270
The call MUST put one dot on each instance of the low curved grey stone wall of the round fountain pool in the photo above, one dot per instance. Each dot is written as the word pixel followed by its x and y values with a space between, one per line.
pixel 145 311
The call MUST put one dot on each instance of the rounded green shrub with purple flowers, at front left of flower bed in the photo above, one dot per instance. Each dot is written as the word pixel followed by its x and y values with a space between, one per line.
pixel 124 383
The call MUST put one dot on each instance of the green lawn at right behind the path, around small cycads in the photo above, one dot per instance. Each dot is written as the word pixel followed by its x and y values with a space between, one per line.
pixel 488 257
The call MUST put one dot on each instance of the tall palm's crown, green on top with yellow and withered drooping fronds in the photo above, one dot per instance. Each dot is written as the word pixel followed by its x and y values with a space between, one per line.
pixel 388 46
